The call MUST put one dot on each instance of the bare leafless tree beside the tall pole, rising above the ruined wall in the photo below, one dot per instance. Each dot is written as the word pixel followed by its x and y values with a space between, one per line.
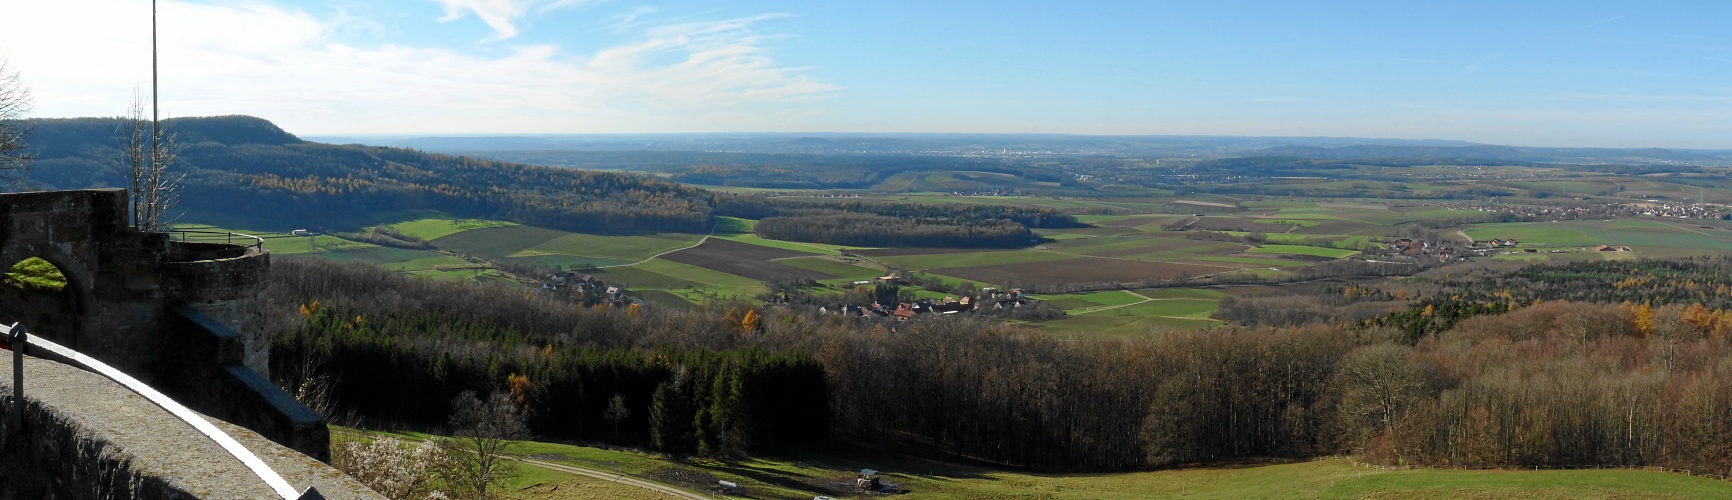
pixel 146 155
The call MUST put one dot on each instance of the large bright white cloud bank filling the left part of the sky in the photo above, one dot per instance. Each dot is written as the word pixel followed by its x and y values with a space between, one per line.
pixel 288 67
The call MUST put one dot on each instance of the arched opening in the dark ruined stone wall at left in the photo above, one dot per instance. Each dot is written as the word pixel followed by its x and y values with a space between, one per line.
pixel 39 295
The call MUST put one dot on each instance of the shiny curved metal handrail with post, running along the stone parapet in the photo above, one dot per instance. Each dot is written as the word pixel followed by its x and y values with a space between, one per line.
pixel 22 340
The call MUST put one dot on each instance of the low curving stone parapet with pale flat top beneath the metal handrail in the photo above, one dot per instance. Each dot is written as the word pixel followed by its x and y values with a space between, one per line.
pixel 86 437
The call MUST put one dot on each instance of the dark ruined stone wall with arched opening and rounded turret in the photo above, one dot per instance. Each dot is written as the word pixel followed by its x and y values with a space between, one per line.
pixel 183 317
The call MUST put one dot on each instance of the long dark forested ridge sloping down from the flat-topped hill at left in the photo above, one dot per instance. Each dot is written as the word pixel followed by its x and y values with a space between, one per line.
pixel 240 163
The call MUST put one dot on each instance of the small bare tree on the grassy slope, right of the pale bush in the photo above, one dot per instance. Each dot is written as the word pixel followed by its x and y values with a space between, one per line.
pixel 484 433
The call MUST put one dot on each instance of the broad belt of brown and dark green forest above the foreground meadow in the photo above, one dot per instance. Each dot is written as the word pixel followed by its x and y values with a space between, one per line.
pixel 1548 383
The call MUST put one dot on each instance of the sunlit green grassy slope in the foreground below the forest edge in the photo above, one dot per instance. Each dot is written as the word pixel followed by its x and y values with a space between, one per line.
pixel 811 471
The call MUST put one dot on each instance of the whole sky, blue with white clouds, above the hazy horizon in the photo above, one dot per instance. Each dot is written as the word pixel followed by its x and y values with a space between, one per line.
pixel 1575 74
